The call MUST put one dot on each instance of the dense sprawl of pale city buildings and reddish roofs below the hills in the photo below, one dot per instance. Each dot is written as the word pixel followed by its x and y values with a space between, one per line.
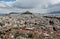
pixel 29 27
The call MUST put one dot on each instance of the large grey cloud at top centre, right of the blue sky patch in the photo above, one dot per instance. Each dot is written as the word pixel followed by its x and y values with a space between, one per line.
pixel 29 3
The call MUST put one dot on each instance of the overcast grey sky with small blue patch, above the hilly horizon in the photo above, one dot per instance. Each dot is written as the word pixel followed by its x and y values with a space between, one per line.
pixel 35 6
